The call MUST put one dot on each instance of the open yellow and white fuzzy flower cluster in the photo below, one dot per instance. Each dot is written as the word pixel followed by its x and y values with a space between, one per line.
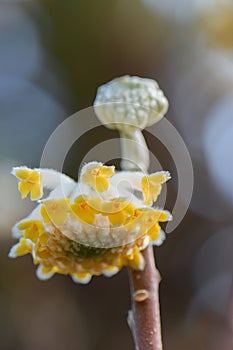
pixel 92 227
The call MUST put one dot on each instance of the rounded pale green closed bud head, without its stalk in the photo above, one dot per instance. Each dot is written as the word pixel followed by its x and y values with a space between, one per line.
pixel 130 101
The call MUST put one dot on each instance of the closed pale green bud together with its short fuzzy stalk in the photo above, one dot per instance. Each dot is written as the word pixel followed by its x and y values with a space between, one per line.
pixel 130 104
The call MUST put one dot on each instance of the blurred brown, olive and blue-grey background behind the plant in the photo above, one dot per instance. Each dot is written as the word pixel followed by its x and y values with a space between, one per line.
pixel 53 56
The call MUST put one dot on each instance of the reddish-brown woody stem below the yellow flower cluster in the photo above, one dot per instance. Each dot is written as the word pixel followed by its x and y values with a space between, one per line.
pixel 144 320
